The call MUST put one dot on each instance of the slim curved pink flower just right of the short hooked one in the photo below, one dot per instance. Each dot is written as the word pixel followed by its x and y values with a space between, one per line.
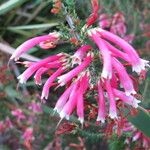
pixel 49 83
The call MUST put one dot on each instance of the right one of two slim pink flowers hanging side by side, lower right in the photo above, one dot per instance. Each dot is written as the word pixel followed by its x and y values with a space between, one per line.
pixel 112 101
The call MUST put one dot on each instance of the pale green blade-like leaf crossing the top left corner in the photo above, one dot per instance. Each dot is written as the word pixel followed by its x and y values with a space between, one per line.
pixel 9 5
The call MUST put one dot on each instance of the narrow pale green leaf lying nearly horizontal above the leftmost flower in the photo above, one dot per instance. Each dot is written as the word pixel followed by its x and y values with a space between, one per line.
pixel 34 26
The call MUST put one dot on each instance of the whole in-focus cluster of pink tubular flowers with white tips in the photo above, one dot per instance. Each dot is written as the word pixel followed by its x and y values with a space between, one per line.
pixel 73 71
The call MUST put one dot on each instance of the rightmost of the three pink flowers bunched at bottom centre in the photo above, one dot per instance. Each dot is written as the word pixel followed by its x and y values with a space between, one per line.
pixel 83 86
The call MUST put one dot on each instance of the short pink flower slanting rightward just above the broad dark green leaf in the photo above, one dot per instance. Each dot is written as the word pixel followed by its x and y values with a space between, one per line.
pixel 127 99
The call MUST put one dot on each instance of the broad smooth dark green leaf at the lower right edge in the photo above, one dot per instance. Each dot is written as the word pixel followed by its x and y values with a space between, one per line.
pixel 141 121
